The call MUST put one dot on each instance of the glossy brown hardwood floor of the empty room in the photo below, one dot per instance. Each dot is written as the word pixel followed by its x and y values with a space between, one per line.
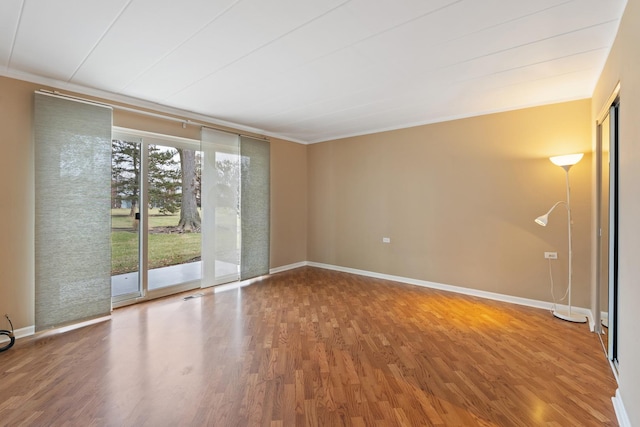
pixel 313 347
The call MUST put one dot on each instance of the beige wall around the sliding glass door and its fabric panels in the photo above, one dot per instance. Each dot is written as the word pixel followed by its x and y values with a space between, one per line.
pixel 288 199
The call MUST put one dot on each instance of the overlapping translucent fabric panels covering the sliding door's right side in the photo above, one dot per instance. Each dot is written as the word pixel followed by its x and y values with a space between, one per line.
pixel 235 206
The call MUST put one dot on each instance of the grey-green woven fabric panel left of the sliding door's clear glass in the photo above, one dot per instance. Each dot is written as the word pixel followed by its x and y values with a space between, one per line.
pixel 72 143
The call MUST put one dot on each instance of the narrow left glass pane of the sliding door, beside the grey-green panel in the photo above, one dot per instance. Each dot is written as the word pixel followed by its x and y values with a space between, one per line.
pixel 125 219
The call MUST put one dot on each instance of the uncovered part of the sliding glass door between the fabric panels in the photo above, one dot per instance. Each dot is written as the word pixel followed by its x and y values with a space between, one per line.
pixel 155 215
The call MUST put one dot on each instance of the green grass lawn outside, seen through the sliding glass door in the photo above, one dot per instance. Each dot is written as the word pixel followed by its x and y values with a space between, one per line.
pixel 165 249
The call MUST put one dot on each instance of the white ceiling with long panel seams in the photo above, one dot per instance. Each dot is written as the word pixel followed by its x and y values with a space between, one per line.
pixel 315 70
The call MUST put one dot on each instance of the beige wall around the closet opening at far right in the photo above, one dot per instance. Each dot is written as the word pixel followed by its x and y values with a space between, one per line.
pixel 622 66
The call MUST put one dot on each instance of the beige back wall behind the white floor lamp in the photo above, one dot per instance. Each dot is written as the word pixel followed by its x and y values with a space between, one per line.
pixel 458 200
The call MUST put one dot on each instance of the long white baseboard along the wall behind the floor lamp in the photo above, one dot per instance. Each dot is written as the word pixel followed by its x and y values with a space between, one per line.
pixel 457 289
